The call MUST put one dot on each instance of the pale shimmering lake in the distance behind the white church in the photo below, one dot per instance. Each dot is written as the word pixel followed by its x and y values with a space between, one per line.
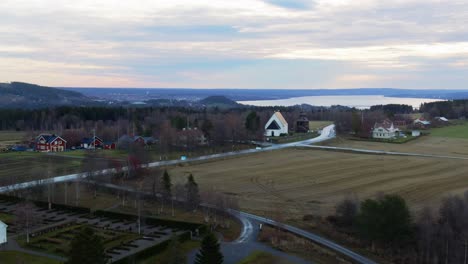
pixel 358 101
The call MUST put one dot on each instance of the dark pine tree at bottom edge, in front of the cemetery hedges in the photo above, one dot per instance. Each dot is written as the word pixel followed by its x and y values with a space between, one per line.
pixel 86 247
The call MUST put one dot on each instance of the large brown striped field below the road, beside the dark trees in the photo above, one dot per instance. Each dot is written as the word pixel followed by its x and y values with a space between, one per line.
pixel 301 182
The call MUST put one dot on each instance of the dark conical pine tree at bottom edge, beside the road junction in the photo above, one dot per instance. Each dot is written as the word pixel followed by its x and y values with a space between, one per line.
pixel 210 252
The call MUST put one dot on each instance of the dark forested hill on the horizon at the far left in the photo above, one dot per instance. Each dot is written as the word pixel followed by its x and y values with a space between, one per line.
pixel 25 95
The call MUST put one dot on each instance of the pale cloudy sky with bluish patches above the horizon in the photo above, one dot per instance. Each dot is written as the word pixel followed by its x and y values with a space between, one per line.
pixel 418 44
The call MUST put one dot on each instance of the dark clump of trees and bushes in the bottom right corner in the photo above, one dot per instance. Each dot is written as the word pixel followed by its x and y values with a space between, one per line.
pixel 386 225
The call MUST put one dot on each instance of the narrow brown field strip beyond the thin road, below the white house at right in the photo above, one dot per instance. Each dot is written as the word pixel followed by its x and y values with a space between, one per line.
pixel 424 145
